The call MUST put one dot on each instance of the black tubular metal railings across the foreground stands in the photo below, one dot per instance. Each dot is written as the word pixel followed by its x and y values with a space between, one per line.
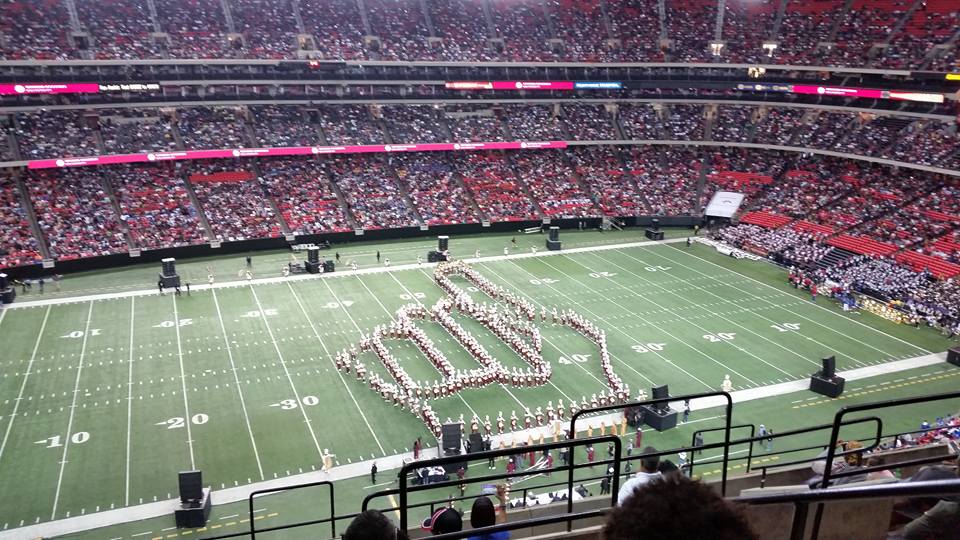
pixel 801 500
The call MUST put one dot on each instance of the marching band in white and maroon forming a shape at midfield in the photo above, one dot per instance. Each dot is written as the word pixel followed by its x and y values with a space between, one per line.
pixel 515 324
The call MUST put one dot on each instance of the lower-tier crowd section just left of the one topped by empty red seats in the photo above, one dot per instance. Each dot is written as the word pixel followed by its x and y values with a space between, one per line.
pixel 155 206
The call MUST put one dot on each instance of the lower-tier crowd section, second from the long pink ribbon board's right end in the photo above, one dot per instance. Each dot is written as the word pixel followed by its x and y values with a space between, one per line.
pixel 491 180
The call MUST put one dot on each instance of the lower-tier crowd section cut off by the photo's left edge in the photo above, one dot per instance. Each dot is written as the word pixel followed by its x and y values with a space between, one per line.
pixel 18 247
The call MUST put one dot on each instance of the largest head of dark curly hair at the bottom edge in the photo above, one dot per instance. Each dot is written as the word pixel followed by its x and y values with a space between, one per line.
pixel 676 508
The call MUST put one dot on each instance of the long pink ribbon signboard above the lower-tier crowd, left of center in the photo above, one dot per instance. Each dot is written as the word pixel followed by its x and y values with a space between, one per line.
pixel 288 151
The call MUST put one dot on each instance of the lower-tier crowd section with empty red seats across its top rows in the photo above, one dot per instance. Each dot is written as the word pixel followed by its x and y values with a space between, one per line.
pixel 234 203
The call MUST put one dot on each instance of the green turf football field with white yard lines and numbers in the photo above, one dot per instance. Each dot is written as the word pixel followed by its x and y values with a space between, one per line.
pixel 103 401
